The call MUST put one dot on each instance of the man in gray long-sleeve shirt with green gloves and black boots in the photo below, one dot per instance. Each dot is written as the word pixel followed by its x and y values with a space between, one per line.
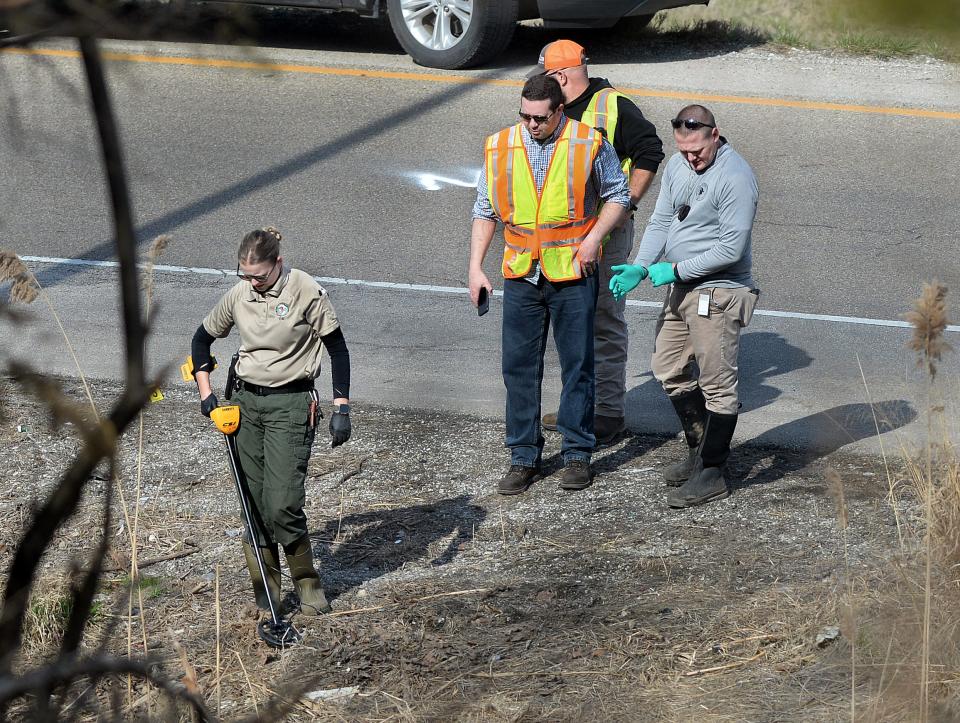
pixel 698 241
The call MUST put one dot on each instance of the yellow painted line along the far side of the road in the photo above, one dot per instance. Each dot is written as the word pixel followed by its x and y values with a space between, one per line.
pixel 437 78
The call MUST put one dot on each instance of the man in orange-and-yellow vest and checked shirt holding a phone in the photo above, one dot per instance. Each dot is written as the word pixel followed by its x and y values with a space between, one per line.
pixel 544 179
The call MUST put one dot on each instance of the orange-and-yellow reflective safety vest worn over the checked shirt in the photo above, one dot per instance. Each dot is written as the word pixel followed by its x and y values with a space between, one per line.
pixel 549 225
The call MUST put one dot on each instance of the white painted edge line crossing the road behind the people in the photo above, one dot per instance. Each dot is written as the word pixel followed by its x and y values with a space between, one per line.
pixel 396 286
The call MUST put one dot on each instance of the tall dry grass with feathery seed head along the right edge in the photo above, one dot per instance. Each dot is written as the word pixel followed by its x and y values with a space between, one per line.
pixel 909 623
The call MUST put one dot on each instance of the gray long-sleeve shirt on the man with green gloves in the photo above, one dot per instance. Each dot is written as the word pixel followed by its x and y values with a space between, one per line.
pixel 712 245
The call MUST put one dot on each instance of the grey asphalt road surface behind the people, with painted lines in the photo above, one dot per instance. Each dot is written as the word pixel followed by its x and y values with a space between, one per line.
pixel 366 163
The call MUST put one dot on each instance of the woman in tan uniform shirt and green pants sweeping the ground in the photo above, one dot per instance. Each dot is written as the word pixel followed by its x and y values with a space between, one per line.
pixel 283 317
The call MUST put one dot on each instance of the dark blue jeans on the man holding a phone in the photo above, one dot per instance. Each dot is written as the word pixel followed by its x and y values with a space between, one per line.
pixel 528 311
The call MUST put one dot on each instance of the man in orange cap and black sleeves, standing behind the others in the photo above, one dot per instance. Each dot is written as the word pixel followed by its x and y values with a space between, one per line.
pixel 595 102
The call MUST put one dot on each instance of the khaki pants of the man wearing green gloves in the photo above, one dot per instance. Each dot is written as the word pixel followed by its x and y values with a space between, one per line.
pixel 685 336
